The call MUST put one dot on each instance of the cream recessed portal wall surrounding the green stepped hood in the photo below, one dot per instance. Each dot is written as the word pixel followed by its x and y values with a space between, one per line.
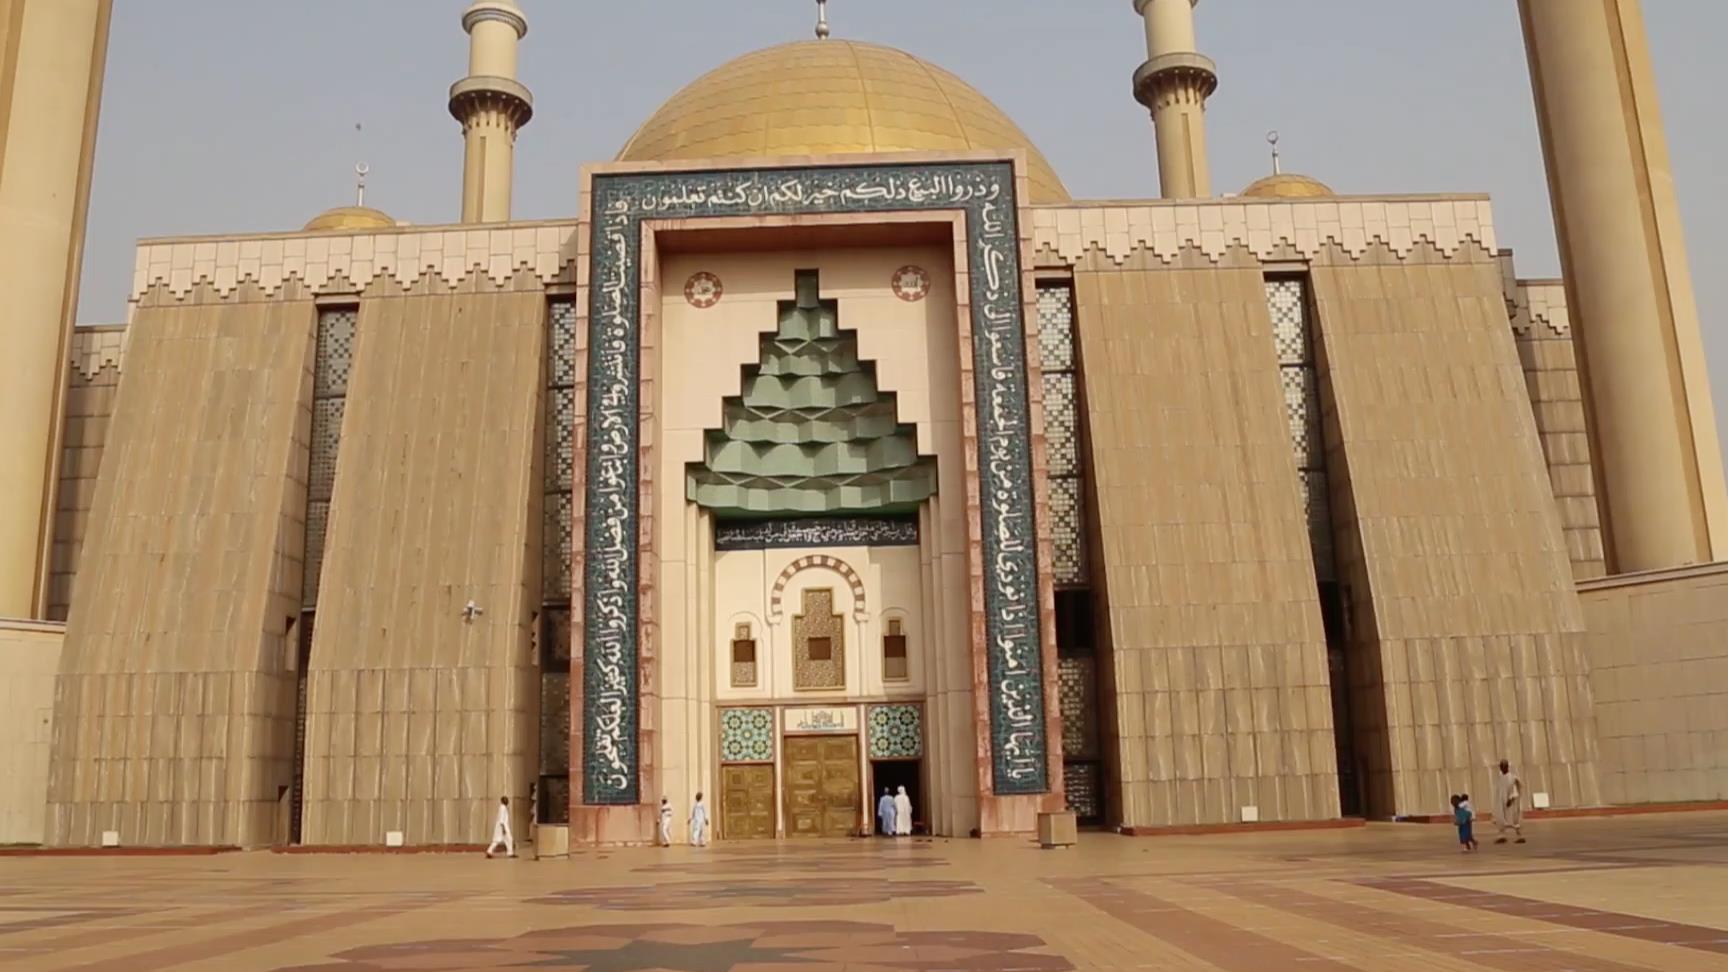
pixel 917 354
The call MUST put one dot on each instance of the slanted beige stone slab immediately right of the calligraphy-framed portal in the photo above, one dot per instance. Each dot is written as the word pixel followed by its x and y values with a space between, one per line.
pixel 1216 648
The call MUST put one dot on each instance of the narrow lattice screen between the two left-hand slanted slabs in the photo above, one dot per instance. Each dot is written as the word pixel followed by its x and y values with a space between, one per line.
pixel 333 362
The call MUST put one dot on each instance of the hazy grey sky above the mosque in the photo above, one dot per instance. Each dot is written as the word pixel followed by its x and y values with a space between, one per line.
pixel 227 117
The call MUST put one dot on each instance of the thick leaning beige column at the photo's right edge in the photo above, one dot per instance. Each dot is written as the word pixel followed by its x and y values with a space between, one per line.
pixel 1630 295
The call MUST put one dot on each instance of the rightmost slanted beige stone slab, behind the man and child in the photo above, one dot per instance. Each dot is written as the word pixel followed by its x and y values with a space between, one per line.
pixel 1452 546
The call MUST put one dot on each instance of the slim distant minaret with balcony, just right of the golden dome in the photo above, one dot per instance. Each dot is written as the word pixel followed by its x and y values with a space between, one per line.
pixel 1176 84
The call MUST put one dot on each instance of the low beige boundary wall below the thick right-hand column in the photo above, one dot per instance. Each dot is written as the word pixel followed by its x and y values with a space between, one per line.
pixel 1660 670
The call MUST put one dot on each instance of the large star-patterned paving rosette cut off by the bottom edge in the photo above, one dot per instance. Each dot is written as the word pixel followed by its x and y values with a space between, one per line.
pixel 701 949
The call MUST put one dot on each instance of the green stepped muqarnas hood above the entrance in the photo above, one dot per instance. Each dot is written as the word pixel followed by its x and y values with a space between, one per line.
pixel 813 433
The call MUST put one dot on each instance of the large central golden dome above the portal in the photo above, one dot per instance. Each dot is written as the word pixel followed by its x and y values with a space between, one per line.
pixel 825 98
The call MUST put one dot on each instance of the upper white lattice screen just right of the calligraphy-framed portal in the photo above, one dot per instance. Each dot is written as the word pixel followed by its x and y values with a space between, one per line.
pixel 1062 432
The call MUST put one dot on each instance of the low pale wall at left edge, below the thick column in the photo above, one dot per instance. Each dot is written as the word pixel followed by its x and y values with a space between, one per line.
pixel 30 653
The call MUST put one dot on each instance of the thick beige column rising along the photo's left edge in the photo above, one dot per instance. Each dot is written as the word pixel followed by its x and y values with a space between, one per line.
pixel 51 84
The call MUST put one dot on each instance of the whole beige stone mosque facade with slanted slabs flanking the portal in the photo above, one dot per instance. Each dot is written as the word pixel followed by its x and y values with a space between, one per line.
pixel 1461 506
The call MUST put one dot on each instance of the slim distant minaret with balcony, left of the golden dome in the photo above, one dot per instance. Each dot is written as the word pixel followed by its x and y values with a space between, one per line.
pixel 492 106
